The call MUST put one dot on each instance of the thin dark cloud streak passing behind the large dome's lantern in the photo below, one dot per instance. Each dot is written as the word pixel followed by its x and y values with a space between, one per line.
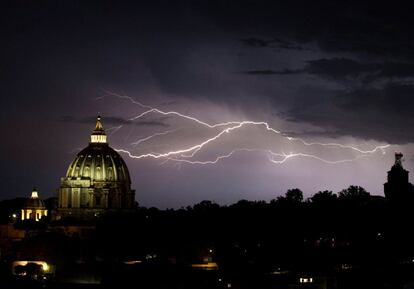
pixel 111 120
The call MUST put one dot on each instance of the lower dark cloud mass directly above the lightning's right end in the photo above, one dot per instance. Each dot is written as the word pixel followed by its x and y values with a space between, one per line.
pixel 383 114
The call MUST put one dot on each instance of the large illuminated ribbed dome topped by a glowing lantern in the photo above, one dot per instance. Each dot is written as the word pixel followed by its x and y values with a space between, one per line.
pixel 96 181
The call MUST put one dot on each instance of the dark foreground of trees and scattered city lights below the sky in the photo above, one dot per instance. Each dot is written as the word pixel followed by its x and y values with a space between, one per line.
pixel 350 241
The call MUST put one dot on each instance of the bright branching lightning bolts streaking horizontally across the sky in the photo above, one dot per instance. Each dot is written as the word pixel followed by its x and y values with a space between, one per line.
pixel 184 155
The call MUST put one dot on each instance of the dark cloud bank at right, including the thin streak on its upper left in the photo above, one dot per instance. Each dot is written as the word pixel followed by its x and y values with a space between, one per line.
pixel 372 100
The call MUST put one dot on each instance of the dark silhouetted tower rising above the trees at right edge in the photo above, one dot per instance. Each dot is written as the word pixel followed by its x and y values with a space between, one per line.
pixel 398 188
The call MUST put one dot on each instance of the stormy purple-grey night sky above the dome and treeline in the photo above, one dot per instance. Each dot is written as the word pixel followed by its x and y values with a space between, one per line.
pixel 315 71
